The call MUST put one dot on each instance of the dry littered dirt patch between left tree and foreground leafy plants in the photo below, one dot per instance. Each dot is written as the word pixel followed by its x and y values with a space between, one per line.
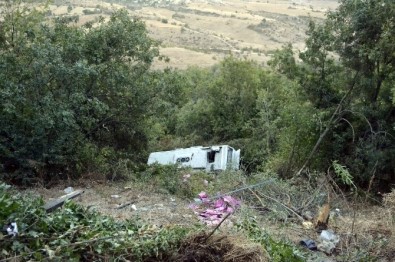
pixel 126 201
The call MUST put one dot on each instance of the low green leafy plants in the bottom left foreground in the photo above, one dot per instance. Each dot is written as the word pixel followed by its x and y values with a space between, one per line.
pixel 74 233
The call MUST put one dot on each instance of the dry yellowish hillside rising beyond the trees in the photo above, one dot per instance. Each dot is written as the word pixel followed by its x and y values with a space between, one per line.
pixel 203 32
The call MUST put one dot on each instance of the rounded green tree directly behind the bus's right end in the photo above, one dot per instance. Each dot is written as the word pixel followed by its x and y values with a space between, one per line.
pixel 233 96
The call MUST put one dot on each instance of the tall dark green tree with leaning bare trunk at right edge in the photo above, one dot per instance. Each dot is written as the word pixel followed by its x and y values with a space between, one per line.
pixel 349 73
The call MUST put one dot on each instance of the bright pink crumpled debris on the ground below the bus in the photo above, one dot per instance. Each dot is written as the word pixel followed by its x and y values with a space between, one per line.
pixel 212 212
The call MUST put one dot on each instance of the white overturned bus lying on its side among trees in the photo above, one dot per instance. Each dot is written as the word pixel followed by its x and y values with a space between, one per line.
pixel 210 158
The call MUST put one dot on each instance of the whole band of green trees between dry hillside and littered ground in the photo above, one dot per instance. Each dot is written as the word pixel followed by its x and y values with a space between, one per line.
pixel 82 99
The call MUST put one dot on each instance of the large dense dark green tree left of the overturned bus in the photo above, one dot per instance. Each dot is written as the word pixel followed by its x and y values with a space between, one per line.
pixel 66 91
